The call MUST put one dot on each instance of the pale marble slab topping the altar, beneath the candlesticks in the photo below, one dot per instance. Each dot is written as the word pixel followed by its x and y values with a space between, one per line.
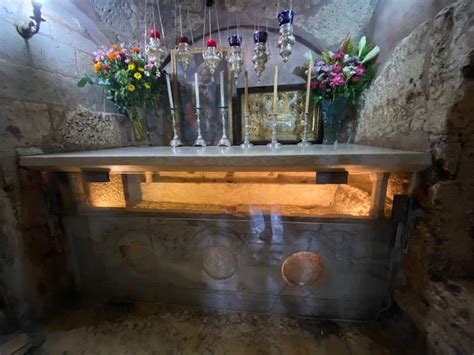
pixel 349 157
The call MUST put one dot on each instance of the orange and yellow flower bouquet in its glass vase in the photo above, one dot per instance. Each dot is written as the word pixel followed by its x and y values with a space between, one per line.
pixel 130 80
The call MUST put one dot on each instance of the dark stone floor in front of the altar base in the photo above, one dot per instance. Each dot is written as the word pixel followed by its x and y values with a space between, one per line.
pixel 158 329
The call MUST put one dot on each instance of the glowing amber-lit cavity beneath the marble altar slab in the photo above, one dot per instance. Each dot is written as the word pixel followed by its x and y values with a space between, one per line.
pixel 286 194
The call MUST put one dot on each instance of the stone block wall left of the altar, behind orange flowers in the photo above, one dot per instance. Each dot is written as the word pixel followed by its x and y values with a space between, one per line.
pixel 40 106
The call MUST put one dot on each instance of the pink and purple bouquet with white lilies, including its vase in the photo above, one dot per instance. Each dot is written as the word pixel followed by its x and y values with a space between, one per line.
pixel 340 77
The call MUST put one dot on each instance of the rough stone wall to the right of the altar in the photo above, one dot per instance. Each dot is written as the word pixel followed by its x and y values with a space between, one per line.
pixel 422 100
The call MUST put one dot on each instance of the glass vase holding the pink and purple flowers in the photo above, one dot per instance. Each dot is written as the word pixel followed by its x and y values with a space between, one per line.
pixel 332 113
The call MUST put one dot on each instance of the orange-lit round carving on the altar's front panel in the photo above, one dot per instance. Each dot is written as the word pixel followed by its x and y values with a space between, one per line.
pixel 303 269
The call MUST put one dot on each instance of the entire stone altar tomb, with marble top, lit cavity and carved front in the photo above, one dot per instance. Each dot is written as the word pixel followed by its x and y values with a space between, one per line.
pixel 293 231
